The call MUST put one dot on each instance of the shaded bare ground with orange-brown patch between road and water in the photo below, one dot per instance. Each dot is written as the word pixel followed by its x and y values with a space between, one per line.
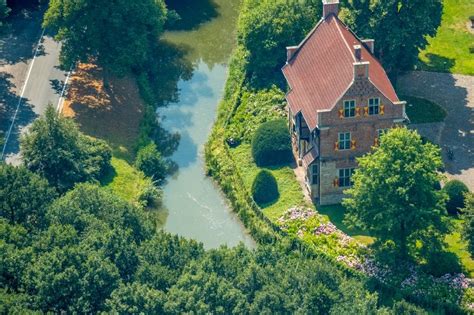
pixel 112 114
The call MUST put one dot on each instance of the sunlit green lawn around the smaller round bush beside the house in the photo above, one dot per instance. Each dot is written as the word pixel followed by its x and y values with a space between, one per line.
pixel 289 188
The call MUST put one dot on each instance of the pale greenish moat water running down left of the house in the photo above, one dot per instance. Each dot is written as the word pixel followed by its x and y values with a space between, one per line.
pixel 194 206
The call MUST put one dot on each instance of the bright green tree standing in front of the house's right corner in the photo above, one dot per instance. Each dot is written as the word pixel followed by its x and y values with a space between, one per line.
pixel 394 195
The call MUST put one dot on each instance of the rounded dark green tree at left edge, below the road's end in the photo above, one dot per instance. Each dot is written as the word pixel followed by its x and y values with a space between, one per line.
pixel 24 196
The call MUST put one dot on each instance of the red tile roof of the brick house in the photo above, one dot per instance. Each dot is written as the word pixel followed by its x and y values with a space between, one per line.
pixel 322 70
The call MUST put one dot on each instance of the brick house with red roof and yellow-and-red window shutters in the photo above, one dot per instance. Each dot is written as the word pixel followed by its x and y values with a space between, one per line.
pixel 340 102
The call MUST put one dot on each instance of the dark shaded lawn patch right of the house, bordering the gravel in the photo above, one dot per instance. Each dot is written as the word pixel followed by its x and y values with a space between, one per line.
pixel 420 110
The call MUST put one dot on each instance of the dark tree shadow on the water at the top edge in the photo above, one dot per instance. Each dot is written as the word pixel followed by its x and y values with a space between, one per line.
pixel 192 13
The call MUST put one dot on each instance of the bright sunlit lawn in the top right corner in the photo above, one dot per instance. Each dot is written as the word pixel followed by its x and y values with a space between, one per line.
pixel 448 51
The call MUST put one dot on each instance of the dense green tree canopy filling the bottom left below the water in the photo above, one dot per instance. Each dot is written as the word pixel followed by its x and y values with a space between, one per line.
pixel 97 253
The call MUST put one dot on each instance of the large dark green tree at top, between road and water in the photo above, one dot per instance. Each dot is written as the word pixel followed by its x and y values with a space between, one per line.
pixel 119 35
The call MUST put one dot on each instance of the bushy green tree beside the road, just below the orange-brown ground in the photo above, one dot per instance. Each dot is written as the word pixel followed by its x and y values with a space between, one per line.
pixel 56 149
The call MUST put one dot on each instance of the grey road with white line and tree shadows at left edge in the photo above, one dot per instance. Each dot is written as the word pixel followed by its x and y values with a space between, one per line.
pixel 30 78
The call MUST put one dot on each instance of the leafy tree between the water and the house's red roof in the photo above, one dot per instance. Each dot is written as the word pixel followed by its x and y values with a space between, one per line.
pixel 266 28
